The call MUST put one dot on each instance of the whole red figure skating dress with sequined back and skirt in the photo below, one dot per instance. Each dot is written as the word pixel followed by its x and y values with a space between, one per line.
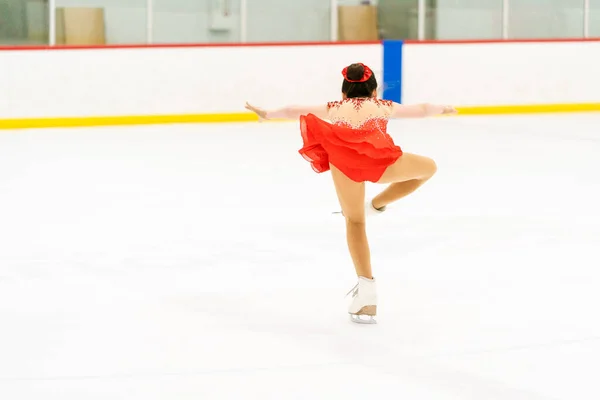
pixel 356 141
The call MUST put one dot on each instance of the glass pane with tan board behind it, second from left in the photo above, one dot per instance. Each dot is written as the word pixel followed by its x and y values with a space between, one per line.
pixel 97 22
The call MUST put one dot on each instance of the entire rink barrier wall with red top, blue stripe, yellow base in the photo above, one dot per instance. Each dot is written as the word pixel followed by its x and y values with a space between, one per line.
pixel 118 85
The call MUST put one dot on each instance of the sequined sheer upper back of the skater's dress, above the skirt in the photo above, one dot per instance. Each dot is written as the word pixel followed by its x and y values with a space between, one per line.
pixel 361 113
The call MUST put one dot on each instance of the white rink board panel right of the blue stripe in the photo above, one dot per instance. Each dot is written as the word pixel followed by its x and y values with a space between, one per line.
pixel 493 74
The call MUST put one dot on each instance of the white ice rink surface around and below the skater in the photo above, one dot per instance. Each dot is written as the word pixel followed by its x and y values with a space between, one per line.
pixel 203 262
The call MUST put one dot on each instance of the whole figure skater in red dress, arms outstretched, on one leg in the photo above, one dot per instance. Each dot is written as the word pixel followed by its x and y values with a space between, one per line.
pixel 356 148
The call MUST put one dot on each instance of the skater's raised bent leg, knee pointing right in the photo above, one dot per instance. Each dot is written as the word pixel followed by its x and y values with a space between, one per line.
pixel 407 174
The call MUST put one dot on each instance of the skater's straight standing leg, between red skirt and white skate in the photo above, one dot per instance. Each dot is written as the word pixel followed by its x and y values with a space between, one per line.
pixel 351 196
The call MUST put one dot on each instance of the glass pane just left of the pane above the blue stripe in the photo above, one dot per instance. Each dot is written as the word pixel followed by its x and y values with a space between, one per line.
pixel 289 21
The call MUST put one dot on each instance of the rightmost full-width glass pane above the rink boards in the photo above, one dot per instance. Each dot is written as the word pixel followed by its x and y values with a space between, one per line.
pixel 545 19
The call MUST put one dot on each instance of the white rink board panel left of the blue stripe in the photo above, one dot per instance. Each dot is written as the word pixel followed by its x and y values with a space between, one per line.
pixel 150 81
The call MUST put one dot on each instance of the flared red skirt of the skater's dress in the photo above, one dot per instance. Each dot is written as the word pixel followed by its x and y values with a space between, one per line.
pixel 361 154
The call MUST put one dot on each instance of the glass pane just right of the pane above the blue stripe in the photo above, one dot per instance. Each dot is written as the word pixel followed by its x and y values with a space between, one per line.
pixel 466 19
